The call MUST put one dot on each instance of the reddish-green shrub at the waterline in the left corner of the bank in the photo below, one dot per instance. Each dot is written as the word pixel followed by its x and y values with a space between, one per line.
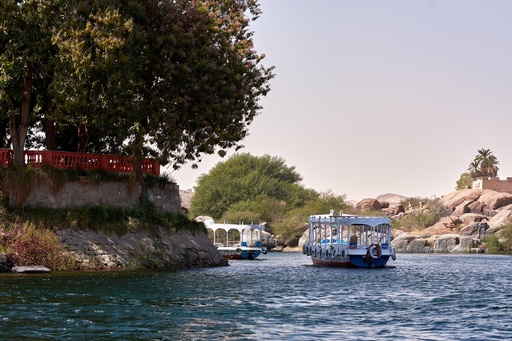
pixel 26 244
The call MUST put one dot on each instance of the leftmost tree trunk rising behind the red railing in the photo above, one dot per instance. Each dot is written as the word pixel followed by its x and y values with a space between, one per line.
pixel 19 131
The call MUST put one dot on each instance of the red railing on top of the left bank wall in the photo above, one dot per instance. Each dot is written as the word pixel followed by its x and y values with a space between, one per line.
pixel 66 160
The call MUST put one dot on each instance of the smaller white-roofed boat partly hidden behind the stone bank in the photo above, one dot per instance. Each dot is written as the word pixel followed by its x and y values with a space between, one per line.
pixel 237 241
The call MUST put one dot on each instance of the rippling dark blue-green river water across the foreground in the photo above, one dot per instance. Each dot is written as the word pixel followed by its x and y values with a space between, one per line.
pixel 280 296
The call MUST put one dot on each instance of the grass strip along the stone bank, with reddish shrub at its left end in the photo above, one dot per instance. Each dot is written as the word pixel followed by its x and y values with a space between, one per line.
pixel 27 235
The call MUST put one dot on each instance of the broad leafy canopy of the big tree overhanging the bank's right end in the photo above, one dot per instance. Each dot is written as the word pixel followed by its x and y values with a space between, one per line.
pixel 181 78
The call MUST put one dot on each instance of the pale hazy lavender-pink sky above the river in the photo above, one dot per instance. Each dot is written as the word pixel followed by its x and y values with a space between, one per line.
pixel 381 96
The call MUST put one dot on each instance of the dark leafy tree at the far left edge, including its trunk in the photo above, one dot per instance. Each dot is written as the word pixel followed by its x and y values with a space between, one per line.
pixel 26 66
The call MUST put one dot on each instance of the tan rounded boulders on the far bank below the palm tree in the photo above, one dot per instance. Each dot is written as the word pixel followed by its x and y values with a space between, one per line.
pixel 472 215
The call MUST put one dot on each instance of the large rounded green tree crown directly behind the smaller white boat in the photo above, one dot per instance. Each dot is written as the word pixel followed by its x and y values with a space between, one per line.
pixel 246 183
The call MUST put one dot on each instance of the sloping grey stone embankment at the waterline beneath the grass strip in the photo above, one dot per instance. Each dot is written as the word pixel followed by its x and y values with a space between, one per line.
pixel 157 249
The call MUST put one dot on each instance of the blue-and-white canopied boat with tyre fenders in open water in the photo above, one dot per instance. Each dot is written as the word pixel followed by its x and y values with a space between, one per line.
pixel 349 241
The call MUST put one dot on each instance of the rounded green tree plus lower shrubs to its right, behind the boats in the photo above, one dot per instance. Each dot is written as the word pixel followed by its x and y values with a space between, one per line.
pixel 247 188
